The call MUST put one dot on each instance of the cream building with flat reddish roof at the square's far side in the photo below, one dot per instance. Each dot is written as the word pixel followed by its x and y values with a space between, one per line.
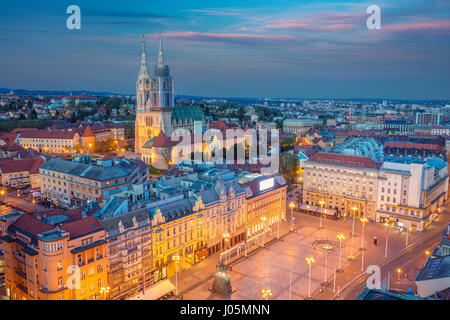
pixel 342 181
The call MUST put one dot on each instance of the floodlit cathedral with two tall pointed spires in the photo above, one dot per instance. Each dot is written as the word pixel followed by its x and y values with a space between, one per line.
pixel 156 114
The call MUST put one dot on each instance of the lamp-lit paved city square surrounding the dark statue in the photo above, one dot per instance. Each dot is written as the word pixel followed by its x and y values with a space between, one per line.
pixel 282 265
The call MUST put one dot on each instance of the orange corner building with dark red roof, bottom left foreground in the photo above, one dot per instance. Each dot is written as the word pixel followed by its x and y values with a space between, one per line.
pixel 58 255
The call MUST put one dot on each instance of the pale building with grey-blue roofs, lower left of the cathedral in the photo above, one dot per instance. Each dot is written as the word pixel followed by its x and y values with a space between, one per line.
pixel 78 181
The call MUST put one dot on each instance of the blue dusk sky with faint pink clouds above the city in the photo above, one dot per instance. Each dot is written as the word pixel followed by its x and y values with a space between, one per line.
pixel 233 48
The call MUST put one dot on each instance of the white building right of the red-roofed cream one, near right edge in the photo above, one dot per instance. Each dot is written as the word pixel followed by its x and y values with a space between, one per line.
pixel 411 191
